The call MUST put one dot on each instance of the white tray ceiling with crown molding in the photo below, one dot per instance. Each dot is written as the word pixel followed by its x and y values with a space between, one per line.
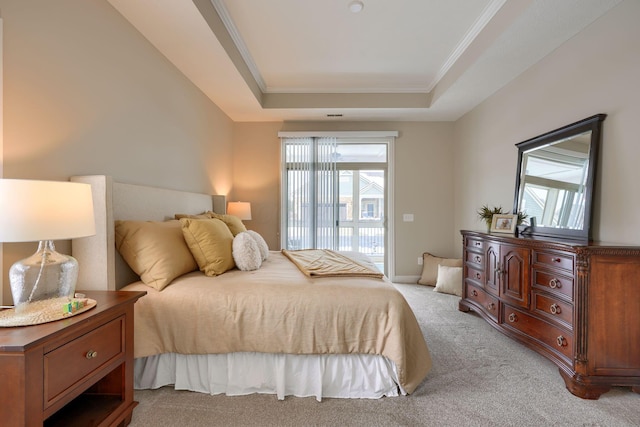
pixel 405 60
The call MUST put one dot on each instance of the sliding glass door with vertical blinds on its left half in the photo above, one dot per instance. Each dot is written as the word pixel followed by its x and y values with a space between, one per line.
pixel 335 195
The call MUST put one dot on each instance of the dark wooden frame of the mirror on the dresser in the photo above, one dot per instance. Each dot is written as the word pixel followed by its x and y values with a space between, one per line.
pixel 593 124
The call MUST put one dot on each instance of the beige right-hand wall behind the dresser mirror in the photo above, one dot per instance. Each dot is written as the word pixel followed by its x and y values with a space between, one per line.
pixel 594 72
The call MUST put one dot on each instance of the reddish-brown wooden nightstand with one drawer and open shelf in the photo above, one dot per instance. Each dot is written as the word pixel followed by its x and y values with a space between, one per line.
pixel 72 372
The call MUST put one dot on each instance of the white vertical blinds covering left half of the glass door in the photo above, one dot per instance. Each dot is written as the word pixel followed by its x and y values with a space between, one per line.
pixel 310 185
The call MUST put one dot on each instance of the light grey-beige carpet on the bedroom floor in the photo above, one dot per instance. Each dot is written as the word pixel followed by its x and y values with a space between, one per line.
pixel 480 378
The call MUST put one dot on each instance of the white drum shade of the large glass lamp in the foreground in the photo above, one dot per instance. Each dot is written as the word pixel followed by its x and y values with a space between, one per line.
pixel 45 210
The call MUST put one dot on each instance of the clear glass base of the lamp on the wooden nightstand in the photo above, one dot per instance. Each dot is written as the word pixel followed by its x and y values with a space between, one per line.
pixel 44 275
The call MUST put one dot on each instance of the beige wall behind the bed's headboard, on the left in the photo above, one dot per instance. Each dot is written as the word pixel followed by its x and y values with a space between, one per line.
pixel 85 93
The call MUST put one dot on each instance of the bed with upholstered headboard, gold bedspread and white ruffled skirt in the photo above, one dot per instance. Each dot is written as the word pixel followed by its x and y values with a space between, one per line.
pixel 272 330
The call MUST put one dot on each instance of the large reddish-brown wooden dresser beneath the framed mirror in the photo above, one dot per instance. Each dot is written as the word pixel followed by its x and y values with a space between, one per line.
pixel 578 304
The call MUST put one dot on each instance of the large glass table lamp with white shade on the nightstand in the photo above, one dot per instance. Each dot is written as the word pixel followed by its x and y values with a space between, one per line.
pixel 44 211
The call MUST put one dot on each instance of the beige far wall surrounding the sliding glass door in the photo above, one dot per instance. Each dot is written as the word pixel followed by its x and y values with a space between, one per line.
pixel 423 182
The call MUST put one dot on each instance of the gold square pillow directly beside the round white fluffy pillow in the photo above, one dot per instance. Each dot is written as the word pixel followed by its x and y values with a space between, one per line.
pixel 211 243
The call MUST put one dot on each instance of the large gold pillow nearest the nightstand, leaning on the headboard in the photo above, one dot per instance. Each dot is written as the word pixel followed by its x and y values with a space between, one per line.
pixel 155 250
